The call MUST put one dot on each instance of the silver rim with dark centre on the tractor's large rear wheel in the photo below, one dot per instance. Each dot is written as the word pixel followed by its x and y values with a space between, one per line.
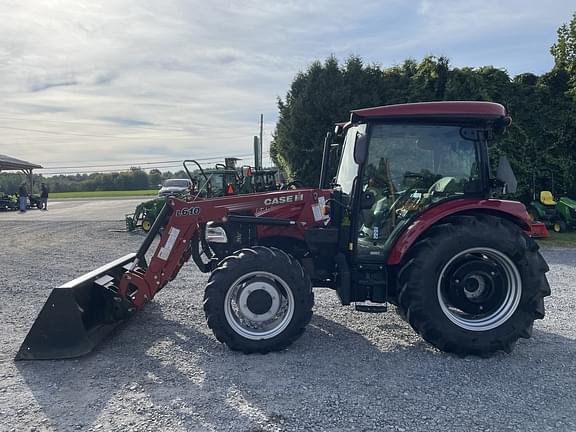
pixel 479 278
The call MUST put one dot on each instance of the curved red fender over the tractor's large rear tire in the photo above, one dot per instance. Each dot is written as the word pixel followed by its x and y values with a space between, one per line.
pixel 511 210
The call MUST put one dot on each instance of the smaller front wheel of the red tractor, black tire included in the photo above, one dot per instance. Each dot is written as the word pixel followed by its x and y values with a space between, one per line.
pixel 258 300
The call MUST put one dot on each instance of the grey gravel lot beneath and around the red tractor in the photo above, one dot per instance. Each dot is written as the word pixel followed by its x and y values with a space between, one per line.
pixel 350 371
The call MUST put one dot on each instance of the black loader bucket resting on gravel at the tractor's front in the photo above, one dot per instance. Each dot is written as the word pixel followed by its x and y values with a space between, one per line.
pixel 78 315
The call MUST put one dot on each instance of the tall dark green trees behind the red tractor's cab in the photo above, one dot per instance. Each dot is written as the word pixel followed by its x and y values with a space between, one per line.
pixel 543 108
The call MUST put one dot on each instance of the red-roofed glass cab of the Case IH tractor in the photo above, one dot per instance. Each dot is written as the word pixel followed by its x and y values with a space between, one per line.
pixel 398 162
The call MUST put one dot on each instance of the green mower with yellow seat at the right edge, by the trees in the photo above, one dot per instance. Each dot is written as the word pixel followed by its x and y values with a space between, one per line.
pixel 560 214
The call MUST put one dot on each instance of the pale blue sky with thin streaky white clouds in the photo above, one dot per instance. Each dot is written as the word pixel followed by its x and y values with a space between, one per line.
pixel 109 84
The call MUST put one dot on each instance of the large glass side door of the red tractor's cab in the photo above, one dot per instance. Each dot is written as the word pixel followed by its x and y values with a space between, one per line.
pixel 409 168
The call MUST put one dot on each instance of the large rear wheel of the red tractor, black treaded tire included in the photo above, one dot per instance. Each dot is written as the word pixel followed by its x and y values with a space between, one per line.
pixel 474 285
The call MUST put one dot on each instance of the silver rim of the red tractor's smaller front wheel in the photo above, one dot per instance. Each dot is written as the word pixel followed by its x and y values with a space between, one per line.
pixel 275 313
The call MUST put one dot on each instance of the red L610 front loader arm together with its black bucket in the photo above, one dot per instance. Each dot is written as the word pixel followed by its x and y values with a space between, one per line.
pixel 81 313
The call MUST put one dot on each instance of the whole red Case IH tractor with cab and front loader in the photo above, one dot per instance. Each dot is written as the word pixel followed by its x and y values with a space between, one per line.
pixel 409 219
